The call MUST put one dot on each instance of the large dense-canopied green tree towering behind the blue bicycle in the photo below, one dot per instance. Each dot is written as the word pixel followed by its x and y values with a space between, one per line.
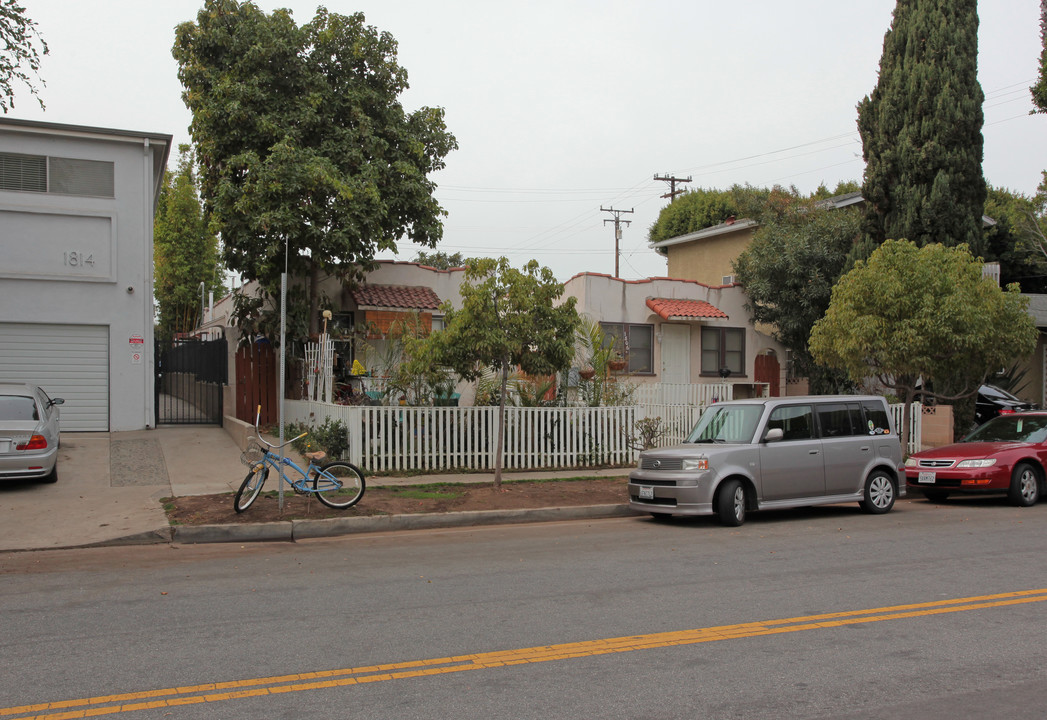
pixel 304 144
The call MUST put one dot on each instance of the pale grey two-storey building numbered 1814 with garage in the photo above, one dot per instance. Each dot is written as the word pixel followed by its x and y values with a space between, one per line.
pixel 77 267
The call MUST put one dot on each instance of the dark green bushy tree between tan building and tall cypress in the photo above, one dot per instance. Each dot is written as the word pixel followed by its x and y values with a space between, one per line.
pixel 789 272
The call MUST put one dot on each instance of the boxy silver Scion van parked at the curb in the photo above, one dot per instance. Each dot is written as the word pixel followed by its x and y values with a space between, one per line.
pixel 773 454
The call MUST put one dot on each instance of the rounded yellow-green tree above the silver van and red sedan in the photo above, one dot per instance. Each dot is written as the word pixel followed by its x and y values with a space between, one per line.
pixel 912 314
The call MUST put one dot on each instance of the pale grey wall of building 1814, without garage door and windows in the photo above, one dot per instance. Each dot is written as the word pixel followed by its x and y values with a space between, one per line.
pixel 38 233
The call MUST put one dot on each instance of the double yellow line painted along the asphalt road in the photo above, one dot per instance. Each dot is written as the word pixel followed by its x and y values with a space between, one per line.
pixel 216 692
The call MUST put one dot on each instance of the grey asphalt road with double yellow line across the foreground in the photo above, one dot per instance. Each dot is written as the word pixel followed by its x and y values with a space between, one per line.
pixel 927 613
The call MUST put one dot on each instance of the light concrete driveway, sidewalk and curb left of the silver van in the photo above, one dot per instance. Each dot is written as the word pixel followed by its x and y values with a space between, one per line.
pixel 110 486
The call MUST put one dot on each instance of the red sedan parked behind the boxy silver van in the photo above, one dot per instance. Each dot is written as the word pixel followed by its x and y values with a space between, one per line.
pixel 1005 456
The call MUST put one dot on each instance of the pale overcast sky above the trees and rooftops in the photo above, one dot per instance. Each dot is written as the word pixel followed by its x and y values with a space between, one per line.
pixel 564 107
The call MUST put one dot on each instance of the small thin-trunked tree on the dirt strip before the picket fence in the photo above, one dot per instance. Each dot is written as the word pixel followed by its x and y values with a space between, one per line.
pixel 508 320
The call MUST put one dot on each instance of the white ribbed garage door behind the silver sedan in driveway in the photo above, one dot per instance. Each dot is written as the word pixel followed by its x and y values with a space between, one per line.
pixel 68 362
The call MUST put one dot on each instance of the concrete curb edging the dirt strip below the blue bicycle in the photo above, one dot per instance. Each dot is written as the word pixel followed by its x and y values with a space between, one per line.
pixel 292 531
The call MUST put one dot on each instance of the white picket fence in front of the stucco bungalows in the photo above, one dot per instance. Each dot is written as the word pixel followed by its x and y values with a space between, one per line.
pixel 397 439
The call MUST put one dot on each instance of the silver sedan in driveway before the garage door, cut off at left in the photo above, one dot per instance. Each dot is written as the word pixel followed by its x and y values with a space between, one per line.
pixel 29 434
